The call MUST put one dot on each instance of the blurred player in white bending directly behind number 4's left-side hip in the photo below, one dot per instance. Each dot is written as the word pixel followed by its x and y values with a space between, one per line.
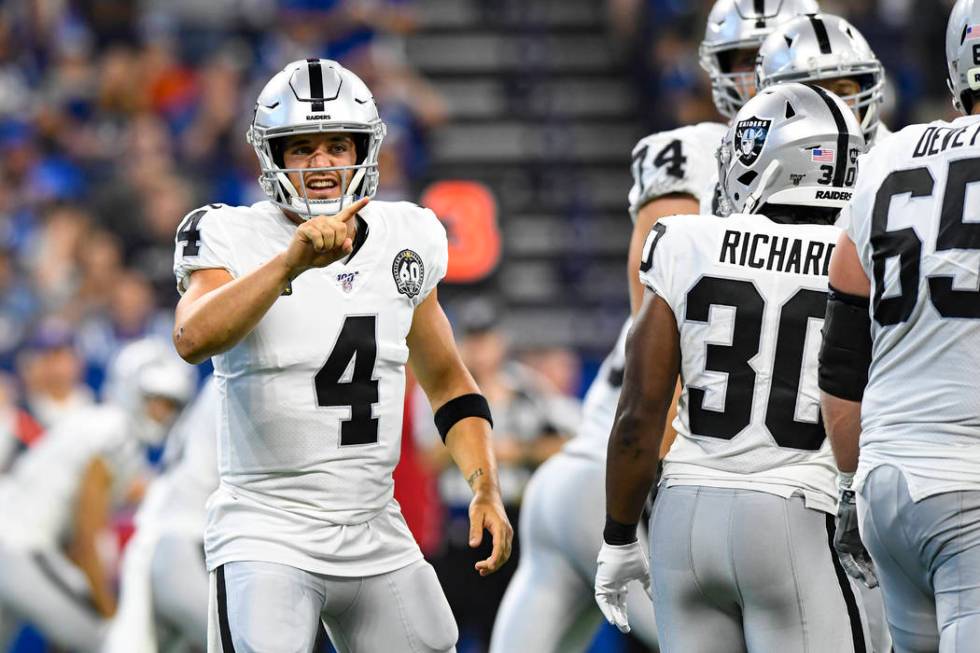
pixel 164 582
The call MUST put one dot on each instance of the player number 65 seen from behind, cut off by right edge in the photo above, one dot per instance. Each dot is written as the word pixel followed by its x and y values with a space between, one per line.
pixel 898 368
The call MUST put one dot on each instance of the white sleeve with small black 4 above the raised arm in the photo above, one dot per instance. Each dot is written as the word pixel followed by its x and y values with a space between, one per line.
pixel 202 243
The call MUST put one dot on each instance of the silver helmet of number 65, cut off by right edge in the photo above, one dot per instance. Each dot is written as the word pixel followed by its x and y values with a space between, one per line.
pixel 963 53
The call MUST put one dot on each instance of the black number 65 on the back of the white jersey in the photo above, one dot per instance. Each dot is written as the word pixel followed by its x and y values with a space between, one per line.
pixel 954 233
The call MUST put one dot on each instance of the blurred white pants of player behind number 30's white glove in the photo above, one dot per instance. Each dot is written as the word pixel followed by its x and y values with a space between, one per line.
pixel 549 605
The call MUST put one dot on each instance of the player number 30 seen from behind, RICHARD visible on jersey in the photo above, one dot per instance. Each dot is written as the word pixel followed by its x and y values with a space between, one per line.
pixel 741 527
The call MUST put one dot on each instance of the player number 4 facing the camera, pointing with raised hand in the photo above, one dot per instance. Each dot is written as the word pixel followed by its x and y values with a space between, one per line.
pixel 310 305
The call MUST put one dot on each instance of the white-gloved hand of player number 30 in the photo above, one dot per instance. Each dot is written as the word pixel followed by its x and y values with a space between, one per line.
pixel 618 566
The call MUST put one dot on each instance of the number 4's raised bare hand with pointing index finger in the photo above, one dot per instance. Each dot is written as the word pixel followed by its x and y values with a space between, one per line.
pixel 320 241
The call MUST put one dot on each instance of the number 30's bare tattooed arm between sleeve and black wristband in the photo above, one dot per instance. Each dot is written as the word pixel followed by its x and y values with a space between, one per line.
pixel 652 366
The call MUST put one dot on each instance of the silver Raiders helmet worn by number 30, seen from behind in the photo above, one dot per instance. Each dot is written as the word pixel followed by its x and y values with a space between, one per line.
pixel 792 144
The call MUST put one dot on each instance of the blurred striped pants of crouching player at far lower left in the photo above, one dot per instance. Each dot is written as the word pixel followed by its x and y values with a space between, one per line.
pixel 47 590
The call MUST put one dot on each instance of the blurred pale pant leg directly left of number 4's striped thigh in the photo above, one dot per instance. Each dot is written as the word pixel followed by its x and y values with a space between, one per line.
pixel 180 586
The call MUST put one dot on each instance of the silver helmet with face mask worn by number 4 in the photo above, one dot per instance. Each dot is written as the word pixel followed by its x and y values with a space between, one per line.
pixel 310 96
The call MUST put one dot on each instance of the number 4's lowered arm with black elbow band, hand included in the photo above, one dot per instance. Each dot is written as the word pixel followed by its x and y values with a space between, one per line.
pixel 464 424
